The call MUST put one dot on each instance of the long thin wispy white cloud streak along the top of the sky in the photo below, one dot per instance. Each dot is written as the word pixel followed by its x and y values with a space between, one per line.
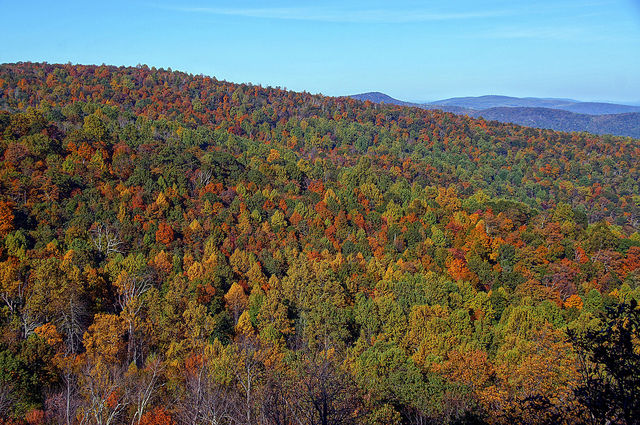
pixel 330 15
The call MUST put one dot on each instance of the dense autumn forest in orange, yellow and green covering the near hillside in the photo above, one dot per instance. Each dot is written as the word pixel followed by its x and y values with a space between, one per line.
pixel 176 249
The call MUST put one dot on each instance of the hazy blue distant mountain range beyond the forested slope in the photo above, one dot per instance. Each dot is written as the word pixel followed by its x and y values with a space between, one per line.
pixel 556 114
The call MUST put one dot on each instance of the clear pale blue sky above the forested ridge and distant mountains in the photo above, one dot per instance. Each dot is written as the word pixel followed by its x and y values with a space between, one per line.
pixel 411 50
